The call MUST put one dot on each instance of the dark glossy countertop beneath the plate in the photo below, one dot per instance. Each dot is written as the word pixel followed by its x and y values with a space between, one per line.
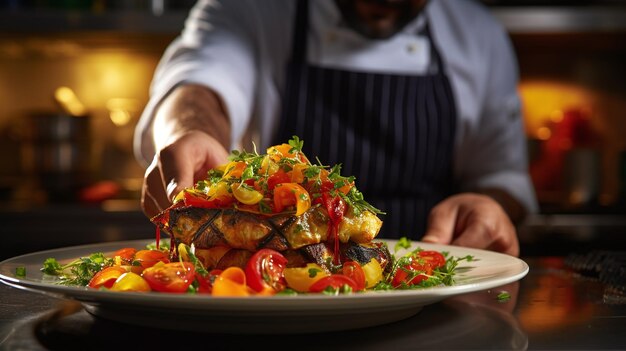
pixel 550 308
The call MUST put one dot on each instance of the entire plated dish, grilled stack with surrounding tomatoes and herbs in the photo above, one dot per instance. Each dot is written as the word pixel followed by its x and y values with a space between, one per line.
pixel 265 224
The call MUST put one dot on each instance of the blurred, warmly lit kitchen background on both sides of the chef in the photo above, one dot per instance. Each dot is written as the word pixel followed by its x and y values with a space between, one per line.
pixel 74 77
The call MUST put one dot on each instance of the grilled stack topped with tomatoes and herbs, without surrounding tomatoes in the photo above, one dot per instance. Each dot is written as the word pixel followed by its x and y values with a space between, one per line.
pixel 279 200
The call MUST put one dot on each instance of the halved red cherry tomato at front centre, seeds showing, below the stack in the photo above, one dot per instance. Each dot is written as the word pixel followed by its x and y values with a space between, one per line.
pixel 264 271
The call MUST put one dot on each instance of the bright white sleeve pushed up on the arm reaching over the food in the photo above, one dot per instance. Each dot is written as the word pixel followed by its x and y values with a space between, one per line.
pixel 215 50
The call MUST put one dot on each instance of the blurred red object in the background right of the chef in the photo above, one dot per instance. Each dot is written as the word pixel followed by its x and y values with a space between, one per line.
pixel 573 131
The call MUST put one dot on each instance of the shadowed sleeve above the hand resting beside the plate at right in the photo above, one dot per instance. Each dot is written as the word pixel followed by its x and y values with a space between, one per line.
pixel 495 155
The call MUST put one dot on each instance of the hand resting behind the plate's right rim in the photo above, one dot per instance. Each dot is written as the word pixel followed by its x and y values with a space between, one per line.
pixel 472 220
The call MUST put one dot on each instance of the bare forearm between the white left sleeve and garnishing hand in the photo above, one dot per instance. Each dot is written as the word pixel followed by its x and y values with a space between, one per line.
pixel 187 108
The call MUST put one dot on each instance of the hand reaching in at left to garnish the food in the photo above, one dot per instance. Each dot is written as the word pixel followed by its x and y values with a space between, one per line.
pixel 177 166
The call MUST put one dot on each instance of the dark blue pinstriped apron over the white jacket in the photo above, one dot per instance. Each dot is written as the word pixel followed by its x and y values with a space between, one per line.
pixel 394 133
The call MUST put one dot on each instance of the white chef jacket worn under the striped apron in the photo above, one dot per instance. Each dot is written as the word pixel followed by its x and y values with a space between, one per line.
pixel 240 49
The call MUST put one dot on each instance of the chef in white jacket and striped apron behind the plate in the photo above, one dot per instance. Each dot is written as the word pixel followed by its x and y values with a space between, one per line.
pixel 415 98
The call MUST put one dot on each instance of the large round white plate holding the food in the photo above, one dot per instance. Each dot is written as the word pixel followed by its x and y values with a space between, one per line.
pixel 269 314
